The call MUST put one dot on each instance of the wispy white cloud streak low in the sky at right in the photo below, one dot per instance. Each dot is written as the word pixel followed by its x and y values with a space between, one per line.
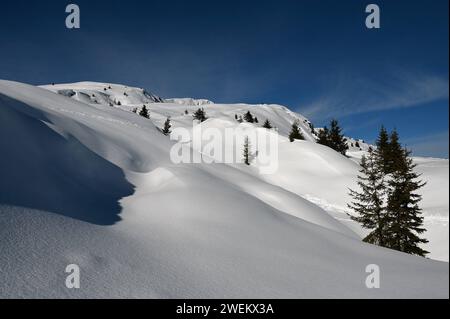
pixel 352 94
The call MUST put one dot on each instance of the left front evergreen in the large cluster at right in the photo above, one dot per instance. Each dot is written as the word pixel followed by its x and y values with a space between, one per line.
pixel 369 203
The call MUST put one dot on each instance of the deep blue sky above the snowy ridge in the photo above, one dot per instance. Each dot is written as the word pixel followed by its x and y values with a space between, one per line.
pixel 316 57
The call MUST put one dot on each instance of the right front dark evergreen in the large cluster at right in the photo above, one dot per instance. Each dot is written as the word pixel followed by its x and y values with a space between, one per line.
pixel 404 214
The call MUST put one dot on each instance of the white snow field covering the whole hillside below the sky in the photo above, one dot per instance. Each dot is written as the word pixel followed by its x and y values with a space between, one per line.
pixel 83 180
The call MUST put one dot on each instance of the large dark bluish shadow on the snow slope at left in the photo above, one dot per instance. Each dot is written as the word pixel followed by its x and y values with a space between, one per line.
pixel 43 170
